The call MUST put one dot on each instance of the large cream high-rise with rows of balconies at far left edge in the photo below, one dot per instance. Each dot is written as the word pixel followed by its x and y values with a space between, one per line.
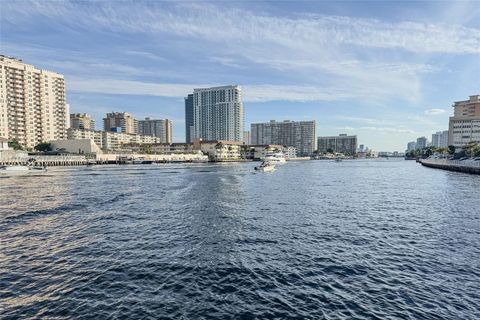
pixel 32 103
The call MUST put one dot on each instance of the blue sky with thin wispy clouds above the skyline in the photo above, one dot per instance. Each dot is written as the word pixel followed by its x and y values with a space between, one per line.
pixel 386 71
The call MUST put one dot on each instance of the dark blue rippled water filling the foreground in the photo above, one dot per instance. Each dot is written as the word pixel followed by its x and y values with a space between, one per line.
pixel 318 239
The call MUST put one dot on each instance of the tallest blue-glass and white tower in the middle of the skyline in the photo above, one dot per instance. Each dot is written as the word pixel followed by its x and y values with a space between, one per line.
pixel 218 114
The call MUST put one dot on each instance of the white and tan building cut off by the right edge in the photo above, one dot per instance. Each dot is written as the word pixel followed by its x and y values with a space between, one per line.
pixel 464 126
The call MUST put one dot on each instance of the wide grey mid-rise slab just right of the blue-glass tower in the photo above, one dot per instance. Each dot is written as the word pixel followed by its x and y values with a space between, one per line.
pixel 298 134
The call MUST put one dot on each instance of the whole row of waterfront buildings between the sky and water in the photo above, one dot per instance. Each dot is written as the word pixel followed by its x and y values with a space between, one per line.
pixel 34 111
